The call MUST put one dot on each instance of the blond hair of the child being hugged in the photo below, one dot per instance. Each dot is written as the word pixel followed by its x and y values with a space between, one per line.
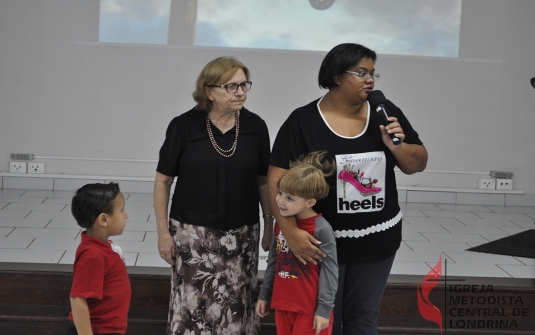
pixel 306 177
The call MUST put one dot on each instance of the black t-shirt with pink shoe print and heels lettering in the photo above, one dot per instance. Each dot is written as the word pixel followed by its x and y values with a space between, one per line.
pixel 362 205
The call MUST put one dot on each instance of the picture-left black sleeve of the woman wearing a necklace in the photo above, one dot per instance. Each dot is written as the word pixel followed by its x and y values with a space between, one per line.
pixel 171 150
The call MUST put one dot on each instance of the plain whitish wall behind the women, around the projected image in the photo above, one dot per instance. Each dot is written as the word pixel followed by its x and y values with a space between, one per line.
pixel 64 94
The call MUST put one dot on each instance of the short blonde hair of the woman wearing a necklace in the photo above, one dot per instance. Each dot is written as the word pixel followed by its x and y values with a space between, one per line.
pixel 217 72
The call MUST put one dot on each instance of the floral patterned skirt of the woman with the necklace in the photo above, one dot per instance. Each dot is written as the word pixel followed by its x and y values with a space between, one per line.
pixel 214 280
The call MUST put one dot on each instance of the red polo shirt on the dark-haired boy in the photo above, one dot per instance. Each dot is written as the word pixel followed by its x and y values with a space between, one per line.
pixel 100 276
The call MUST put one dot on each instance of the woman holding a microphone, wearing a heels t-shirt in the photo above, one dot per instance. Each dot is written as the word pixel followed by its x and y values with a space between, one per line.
pixel 362 206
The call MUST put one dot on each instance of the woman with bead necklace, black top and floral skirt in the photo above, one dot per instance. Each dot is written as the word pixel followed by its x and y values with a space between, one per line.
pixel 219 153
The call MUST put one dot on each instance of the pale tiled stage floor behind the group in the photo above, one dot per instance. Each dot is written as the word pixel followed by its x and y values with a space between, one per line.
pixel 36 227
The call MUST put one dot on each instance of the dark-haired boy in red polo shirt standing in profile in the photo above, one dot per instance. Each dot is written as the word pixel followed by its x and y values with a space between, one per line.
pixel 100 293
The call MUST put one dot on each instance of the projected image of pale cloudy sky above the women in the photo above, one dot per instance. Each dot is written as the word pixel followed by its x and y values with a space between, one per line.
pixel 399 27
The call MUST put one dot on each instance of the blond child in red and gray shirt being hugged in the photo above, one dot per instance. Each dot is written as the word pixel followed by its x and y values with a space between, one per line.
pixel 302 295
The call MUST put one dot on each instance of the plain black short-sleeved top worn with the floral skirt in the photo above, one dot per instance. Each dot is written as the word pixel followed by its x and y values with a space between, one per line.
pixel 211 190
